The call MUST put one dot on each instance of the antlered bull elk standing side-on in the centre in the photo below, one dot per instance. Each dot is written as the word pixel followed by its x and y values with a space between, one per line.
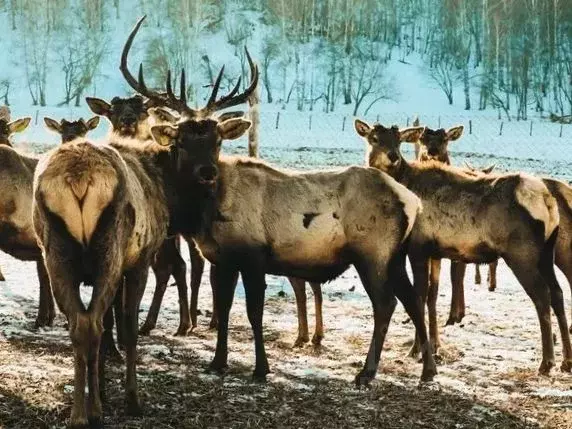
pixel 250 218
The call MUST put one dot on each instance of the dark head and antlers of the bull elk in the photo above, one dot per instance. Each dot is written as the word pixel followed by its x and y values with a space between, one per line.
pixel 195 139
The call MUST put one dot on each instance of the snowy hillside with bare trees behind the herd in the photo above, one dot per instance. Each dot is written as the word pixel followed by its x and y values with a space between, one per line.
pixel 511 55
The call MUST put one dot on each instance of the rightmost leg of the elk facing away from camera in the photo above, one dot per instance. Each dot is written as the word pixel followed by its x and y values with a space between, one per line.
pixel 135 281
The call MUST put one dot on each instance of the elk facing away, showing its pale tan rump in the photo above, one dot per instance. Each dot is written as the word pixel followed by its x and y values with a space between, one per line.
pixel 127 206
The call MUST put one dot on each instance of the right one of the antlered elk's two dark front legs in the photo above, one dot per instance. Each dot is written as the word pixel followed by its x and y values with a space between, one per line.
pixel 254 288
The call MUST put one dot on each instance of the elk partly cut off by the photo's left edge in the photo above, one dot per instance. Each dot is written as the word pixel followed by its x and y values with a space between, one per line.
pixel 17 234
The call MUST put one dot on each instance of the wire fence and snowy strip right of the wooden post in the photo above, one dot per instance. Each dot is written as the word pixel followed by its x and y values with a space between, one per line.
pixel 314 139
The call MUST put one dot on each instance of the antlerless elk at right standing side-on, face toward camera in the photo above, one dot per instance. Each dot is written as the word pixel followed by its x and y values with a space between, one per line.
pixel 478 219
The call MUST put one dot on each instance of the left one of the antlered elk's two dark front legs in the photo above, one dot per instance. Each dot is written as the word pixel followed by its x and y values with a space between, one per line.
pixel 225 278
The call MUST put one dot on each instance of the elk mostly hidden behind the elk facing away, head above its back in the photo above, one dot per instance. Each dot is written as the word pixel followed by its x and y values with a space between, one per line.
pixel 129 117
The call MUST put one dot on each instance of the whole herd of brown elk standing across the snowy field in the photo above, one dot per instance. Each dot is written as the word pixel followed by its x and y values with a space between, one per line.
pixel 102 214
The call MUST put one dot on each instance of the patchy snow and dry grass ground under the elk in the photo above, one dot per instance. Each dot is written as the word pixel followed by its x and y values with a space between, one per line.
pixel 487 367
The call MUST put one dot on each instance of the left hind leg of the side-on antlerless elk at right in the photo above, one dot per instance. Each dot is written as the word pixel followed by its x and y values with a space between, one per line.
pixel 527 273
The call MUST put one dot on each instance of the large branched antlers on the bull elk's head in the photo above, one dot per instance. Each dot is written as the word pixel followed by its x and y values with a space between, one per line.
pixel 169 99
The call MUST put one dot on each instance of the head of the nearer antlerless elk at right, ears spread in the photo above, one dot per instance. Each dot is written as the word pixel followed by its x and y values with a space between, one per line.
pixel 383 144
